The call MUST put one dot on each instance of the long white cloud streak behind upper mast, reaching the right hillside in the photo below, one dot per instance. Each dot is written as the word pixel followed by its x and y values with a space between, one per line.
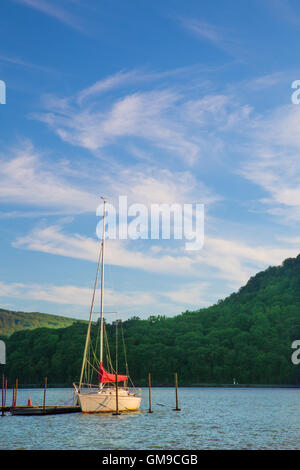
pixel 232 260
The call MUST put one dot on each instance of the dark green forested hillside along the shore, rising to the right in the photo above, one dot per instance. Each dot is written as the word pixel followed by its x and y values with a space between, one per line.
pixel 247 336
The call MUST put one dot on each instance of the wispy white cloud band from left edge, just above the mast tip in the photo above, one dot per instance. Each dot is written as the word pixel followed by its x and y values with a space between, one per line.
pixel 30 178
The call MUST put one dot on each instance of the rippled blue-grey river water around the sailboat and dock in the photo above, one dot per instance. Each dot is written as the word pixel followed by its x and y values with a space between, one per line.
pixel 210 418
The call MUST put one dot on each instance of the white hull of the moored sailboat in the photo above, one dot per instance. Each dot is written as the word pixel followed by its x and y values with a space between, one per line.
pixel 104 401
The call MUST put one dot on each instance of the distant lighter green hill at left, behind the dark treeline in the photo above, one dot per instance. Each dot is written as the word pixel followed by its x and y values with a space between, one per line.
pixel 11 321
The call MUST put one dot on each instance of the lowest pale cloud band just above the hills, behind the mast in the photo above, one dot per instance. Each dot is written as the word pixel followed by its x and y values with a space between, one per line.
pixel 77 300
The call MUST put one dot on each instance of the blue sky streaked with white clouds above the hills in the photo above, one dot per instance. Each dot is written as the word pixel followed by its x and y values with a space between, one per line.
pixel 164 102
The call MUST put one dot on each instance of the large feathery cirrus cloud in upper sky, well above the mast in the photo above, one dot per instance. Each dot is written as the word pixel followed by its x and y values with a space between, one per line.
pixel 169 120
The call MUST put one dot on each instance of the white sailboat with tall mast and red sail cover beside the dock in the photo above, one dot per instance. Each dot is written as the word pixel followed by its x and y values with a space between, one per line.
pixel 105 396
